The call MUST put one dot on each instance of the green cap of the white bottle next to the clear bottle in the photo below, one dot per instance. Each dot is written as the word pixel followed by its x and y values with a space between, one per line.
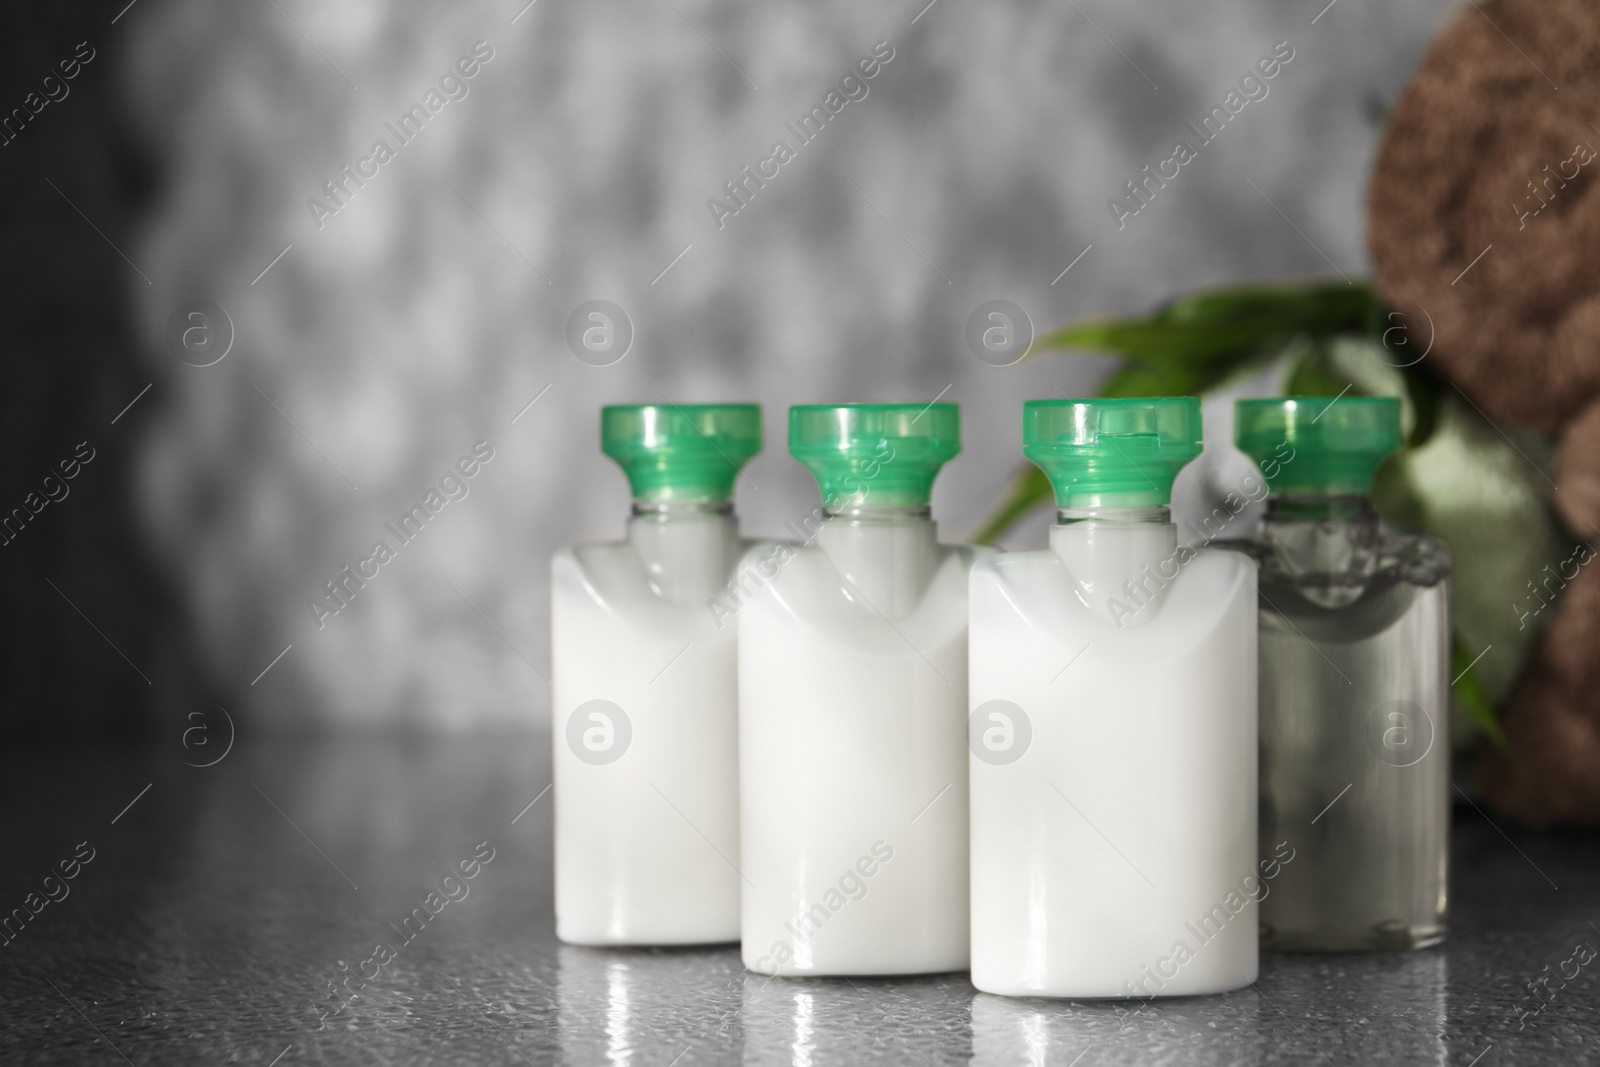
pixel 1113 454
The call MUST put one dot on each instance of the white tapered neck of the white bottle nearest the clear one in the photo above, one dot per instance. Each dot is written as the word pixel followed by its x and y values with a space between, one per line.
pixel 1121 559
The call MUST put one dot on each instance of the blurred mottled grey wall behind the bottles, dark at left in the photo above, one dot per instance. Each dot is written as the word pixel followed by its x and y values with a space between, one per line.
pixel 375 345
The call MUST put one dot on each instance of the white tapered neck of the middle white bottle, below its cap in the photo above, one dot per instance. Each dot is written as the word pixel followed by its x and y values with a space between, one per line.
pixel 884 556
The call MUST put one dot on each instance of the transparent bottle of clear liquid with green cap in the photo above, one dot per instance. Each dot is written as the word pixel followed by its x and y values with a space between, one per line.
pixel 1354 685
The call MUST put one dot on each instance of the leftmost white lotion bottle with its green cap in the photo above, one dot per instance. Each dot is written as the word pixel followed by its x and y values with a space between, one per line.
pixel 644 687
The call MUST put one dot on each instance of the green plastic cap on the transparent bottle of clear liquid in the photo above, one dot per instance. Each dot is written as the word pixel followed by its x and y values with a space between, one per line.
pixel 1319 446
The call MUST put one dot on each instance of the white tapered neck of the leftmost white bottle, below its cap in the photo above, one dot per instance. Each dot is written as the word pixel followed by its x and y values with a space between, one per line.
pixel 689 549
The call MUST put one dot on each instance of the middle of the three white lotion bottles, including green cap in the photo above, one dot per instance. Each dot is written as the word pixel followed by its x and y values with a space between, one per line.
pixel 854 706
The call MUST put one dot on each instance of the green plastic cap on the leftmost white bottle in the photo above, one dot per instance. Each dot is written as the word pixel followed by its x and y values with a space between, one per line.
pixel 681 452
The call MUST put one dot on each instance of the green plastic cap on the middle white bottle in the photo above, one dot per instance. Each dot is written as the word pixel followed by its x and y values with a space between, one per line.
pixel 876 455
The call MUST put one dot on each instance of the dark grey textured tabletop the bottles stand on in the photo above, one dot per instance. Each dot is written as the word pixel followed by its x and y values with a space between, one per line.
pixel 217 909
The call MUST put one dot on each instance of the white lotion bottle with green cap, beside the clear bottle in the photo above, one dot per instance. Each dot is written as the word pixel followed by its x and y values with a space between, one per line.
pixel 1114 729
